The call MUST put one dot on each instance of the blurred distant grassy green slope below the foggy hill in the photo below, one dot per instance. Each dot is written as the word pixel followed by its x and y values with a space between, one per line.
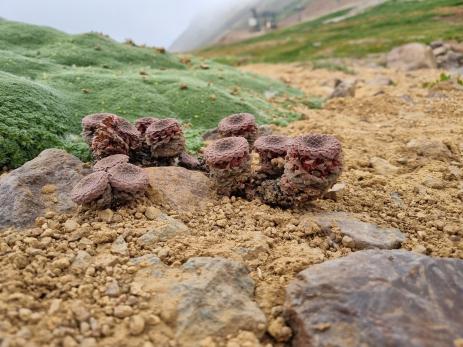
pixel 377 30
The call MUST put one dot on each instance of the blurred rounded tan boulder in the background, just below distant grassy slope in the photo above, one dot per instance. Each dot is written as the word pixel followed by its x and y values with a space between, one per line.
pixel 412 56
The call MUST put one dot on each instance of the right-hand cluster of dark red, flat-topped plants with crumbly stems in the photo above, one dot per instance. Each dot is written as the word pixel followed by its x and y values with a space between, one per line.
pixel 292 170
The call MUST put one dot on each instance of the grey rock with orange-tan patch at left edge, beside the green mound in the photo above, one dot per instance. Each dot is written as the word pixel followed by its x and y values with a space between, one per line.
pixel 41 184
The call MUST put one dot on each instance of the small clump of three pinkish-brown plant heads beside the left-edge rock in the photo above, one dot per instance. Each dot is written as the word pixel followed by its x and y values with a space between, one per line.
pixel 113 182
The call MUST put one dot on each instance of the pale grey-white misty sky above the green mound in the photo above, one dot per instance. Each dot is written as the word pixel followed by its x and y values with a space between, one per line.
pixel 154 22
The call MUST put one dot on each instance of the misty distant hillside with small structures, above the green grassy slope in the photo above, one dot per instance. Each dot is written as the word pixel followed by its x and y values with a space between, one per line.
pixel 255 17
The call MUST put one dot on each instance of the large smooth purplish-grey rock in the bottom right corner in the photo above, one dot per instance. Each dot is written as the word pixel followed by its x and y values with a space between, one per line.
pixel 378 298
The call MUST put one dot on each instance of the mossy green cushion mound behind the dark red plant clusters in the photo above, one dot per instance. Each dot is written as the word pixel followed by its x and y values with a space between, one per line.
pixel 50 80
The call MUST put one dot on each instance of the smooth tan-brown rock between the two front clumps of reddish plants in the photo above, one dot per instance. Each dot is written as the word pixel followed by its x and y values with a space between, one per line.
pixel 181 189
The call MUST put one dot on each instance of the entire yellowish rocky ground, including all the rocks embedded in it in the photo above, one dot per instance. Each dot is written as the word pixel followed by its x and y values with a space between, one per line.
pixel 377 262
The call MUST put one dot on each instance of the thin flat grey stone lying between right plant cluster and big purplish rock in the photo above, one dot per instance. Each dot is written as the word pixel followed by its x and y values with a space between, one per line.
pixel 364 235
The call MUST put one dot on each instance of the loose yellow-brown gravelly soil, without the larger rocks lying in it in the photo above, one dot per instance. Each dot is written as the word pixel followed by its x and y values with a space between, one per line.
pixel 403 169
